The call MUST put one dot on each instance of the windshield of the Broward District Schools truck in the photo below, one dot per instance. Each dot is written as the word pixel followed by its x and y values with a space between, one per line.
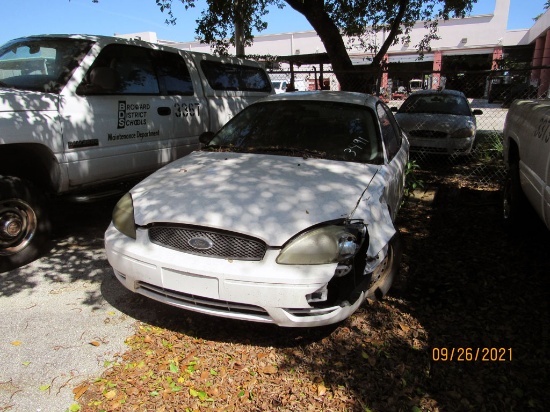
pixel 40 64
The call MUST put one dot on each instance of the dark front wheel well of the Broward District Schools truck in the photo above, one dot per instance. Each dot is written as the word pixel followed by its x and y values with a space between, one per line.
pixel 33 162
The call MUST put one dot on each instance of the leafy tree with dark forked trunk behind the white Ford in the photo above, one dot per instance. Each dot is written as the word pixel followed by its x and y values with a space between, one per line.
pixel 359 20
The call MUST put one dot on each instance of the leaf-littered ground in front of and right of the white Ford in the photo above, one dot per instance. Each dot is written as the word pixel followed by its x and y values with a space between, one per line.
pixel 465 328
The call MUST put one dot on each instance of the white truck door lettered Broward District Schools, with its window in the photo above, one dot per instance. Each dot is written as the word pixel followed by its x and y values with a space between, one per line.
pixel 121 121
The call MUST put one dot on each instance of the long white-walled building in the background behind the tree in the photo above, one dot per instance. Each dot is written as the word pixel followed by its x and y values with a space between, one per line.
pixel 482 38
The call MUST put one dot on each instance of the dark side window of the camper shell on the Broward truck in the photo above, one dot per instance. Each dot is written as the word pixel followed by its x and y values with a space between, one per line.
pixel 227 76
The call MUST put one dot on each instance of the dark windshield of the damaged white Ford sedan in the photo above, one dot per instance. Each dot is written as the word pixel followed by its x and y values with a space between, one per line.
pixel 318 129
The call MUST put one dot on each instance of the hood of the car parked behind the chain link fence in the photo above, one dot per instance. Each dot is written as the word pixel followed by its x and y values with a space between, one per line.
pixel 438 122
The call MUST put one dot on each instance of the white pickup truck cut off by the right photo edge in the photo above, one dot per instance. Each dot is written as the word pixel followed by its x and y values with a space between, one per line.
pixel 527 156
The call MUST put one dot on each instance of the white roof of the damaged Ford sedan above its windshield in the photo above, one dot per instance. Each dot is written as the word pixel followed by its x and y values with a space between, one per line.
pixel 362 99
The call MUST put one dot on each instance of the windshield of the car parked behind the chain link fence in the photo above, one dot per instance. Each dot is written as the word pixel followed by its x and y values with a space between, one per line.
pixel 436 103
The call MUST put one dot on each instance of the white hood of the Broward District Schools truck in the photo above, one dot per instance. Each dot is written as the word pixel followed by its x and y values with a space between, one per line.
pixel 12 100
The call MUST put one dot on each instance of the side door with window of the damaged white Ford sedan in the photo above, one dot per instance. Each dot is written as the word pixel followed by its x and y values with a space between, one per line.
pixel 396 155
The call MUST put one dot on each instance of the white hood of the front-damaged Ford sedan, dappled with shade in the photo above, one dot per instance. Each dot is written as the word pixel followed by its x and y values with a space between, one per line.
pixel 265 196
